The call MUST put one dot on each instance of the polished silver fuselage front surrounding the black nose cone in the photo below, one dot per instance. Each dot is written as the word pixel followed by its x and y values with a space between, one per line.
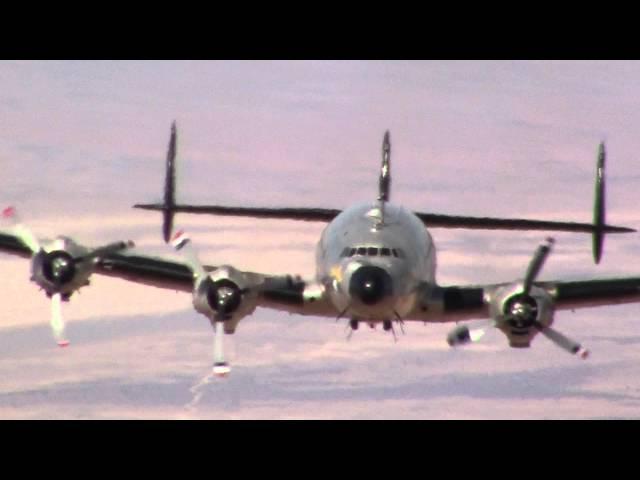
pixel 378 226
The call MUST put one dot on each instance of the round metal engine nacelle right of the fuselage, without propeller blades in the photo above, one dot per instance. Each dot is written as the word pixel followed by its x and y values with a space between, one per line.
pixel 516 314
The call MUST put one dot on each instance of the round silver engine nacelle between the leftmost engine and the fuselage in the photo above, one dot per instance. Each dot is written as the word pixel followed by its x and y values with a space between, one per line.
pixel 225 295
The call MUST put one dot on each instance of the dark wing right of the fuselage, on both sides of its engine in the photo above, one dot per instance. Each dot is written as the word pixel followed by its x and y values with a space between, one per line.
pixel 458 303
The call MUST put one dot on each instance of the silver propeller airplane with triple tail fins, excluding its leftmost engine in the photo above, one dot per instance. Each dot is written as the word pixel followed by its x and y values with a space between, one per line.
pixel 375 264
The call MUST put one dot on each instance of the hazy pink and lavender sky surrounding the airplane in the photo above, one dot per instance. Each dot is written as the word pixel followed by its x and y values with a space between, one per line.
pixel 81 142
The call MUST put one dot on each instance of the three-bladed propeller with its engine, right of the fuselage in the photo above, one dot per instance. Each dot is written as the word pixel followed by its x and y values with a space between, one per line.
pixel 519 307
